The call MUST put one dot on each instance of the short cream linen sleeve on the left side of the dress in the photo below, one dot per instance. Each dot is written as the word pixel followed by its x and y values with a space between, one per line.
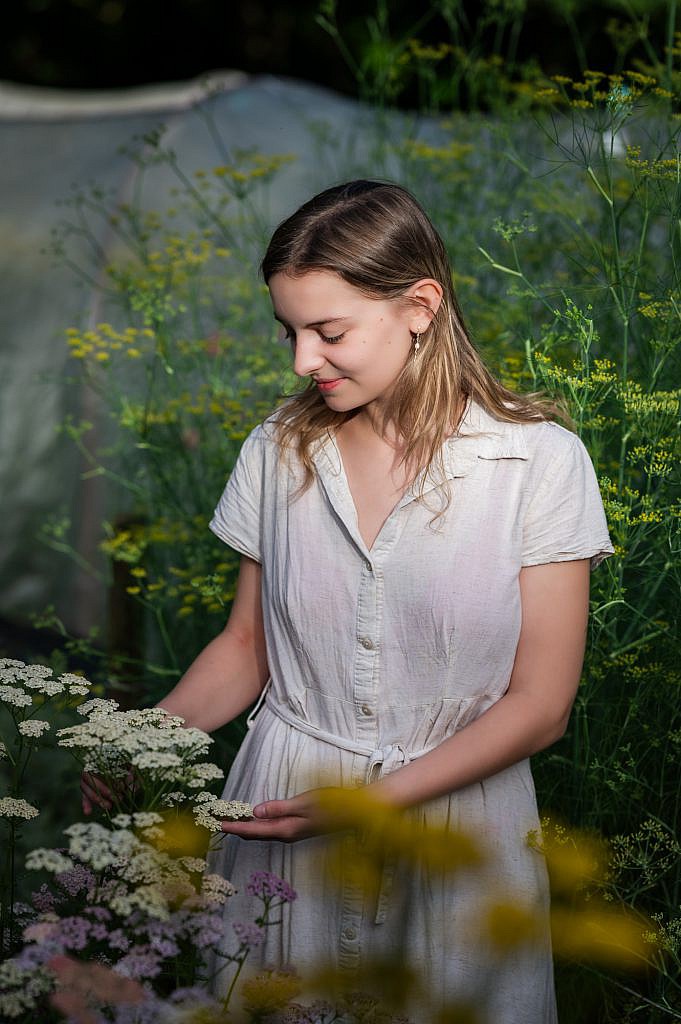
pixel 237 520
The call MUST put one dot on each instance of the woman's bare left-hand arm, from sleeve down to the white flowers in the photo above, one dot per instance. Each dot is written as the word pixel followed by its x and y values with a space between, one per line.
pixel 231 672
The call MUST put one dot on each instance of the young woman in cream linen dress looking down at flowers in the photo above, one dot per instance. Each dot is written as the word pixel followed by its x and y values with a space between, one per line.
pixel 413 594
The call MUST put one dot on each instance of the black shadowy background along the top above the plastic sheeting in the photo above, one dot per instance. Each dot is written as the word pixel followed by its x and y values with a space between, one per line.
pixel 116 44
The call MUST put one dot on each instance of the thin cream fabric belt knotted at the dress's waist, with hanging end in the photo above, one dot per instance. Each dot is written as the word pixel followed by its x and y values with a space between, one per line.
pixel 380 761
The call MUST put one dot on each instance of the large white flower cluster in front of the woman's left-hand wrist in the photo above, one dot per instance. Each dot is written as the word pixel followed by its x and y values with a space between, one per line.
pixel 155 744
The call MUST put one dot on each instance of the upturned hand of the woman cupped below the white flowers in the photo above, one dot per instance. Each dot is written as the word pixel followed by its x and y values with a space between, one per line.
pixel 285 821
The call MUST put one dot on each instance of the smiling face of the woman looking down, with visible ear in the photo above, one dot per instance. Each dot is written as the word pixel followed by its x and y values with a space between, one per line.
pixel 353 347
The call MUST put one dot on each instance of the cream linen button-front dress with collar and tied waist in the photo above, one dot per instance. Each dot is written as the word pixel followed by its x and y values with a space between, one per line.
pixel 378 656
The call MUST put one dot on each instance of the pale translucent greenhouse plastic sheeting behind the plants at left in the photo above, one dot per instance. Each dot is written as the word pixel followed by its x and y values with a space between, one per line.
pixel 53 141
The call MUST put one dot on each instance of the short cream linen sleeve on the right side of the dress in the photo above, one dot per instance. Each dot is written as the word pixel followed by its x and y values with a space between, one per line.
pixel 566 521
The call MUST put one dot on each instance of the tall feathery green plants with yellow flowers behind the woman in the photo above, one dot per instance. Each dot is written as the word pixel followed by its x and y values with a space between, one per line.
pixel 562 217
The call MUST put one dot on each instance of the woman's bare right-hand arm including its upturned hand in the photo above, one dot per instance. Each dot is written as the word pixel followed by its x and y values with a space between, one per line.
pixel 532 715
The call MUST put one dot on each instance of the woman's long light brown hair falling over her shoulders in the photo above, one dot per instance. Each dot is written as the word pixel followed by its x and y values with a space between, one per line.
pixel 377 238
